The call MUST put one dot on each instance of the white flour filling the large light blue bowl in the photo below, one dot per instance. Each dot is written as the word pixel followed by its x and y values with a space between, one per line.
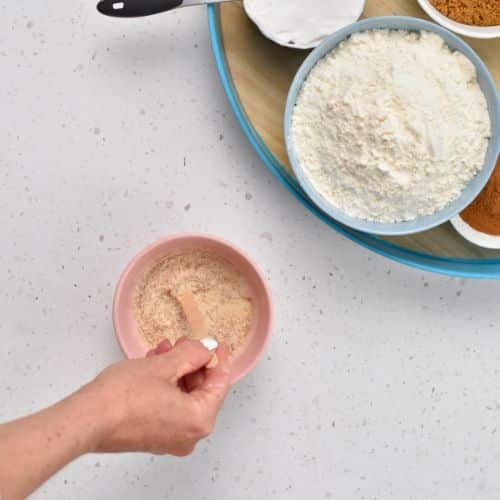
pixel 391 125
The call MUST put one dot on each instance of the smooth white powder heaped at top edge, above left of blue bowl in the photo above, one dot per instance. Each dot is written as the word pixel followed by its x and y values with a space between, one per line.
pixel 303 22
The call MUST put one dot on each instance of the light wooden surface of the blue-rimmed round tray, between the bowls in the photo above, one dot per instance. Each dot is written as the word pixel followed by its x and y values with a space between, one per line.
pixel 263 71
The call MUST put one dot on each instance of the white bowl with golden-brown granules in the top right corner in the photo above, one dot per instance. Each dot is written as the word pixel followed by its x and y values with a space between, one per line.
pixel 473 18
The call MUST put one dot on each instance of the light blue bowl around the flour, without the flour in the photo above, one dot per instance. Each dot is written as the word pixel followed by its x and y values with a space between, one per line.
pixel 475 185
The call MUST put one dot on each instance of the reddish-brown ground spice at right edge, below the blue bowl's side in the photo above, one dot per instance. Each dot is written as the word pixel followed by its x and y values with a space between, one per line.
pixel 484 212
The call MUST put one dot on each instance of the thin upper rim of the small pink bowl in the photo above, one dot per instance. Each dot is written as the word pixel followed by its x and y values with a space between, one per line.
pixel 197 236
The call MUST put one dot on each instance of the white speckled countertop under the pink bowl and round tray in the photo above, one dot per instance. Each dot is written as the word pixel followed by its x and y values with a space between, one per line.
pixel 380 382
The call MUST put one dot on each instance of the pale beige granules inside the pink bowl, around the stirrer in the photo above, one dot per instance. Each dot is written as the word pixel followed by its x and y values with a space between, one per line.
pixel 220 292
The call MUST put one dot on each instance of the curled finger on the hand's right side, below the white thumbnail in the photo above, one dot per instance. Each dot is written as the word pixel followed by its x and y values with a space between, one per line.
pixel 214 388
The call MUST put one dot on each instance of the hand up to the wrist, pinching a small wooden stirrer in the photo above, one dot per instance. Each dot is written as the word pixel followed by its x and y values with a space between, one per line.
pixel 164 403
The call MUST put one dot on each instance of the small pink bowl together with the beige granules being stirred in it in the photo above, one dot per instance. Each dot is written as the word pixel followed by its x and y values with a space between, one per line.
pixel 196 286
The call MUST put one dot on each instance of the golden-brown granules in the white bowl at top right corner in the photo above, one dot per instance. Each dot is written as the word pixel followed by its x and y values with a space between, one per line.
pixel 475 12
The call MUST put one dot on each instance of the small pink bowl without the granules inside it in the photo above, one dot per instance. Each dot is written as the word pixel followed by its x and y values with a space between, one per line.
pixel 129 338
